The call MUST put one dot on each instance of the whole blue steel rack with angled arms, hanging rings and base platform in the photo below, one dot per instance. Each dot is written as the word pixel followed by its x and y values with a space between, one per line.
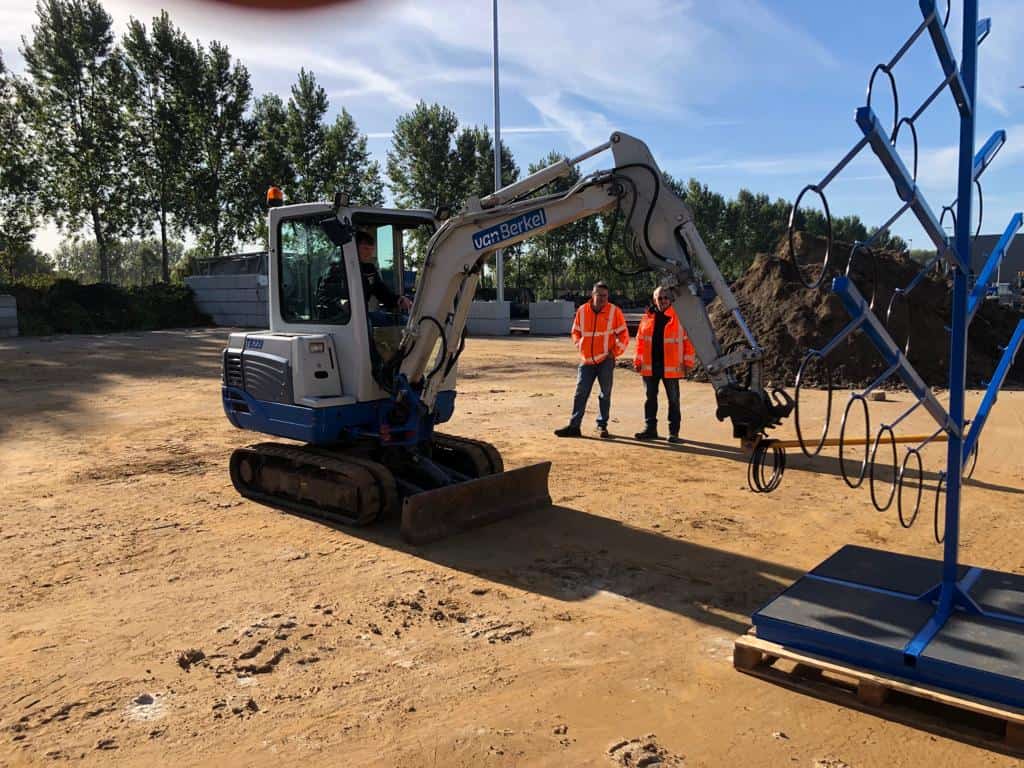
pixel 935 622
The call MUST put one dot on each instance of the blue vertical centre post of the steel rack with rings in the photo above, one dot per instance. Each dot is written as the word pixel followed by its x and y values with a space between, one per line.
pixel 958 353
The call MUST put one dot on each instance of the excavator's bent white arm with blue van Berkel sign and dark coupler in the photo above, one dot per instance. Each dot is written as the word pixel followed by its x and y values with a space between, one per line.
pixel 666 237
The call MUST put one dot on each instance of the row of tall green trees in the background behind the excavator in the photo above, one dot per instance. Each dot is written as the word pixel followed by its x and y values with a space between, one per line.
pixel 134 146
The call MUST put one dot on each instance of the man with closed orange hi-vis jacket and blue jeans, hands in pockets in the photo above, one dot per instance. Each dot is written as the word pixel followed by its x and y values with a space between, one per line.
pixel 601 335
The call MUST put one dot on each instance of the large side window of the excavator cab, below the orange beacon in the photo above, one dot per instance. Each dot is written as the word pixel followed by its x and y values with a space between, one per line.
pixel 314 284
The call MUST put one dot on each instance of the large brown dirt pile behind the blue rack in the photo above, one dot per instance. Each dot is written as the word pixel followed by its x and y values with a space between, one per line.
pixel 788 319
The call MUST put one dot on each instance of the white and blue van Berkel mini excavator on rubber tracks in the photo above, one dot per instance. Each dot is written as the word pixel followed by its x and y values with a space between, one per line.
pixel 365 390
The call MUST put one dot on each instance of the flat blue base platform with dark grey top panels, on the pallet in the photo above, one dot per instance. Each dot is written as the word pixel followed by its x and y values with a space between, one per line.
pixel 870 609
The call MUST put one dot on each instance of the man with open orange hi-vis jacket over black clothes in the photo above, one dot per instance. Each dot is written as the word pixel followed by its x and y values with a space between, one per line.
pixel 664 355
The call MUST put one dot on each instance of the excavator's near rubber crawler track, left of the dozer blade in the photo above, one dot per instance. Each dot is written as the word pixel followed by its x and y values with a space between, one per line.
pixel 372 494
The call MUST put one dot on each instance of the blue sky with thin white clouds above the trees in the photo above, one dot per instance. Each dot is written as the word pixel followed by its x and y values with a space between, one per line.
pixel 738 94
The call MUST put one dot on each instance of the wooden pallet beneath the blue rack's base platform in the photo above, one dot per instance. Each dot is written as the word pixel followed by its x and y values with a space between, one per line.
pixel 944 713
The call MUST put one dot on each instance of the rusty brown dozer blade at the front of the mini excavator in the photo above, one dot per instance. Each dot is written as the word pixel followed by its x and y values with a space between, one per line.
pixel 437 515
